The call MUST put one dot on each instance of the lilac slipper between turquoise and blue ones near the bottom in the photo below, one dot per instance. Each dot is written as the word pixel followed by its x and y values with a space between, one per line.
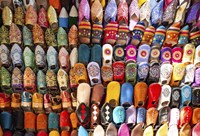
pixel 131 116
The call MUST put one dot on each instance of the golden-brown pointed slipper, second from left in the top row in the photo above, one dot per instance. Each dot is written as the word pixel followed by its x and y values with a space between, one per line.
pixel 19 16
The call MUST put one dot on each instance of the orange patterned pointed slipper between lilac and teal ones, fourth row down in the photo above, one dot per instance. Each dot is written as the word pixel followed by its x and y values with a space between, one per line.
pixel 29 80
